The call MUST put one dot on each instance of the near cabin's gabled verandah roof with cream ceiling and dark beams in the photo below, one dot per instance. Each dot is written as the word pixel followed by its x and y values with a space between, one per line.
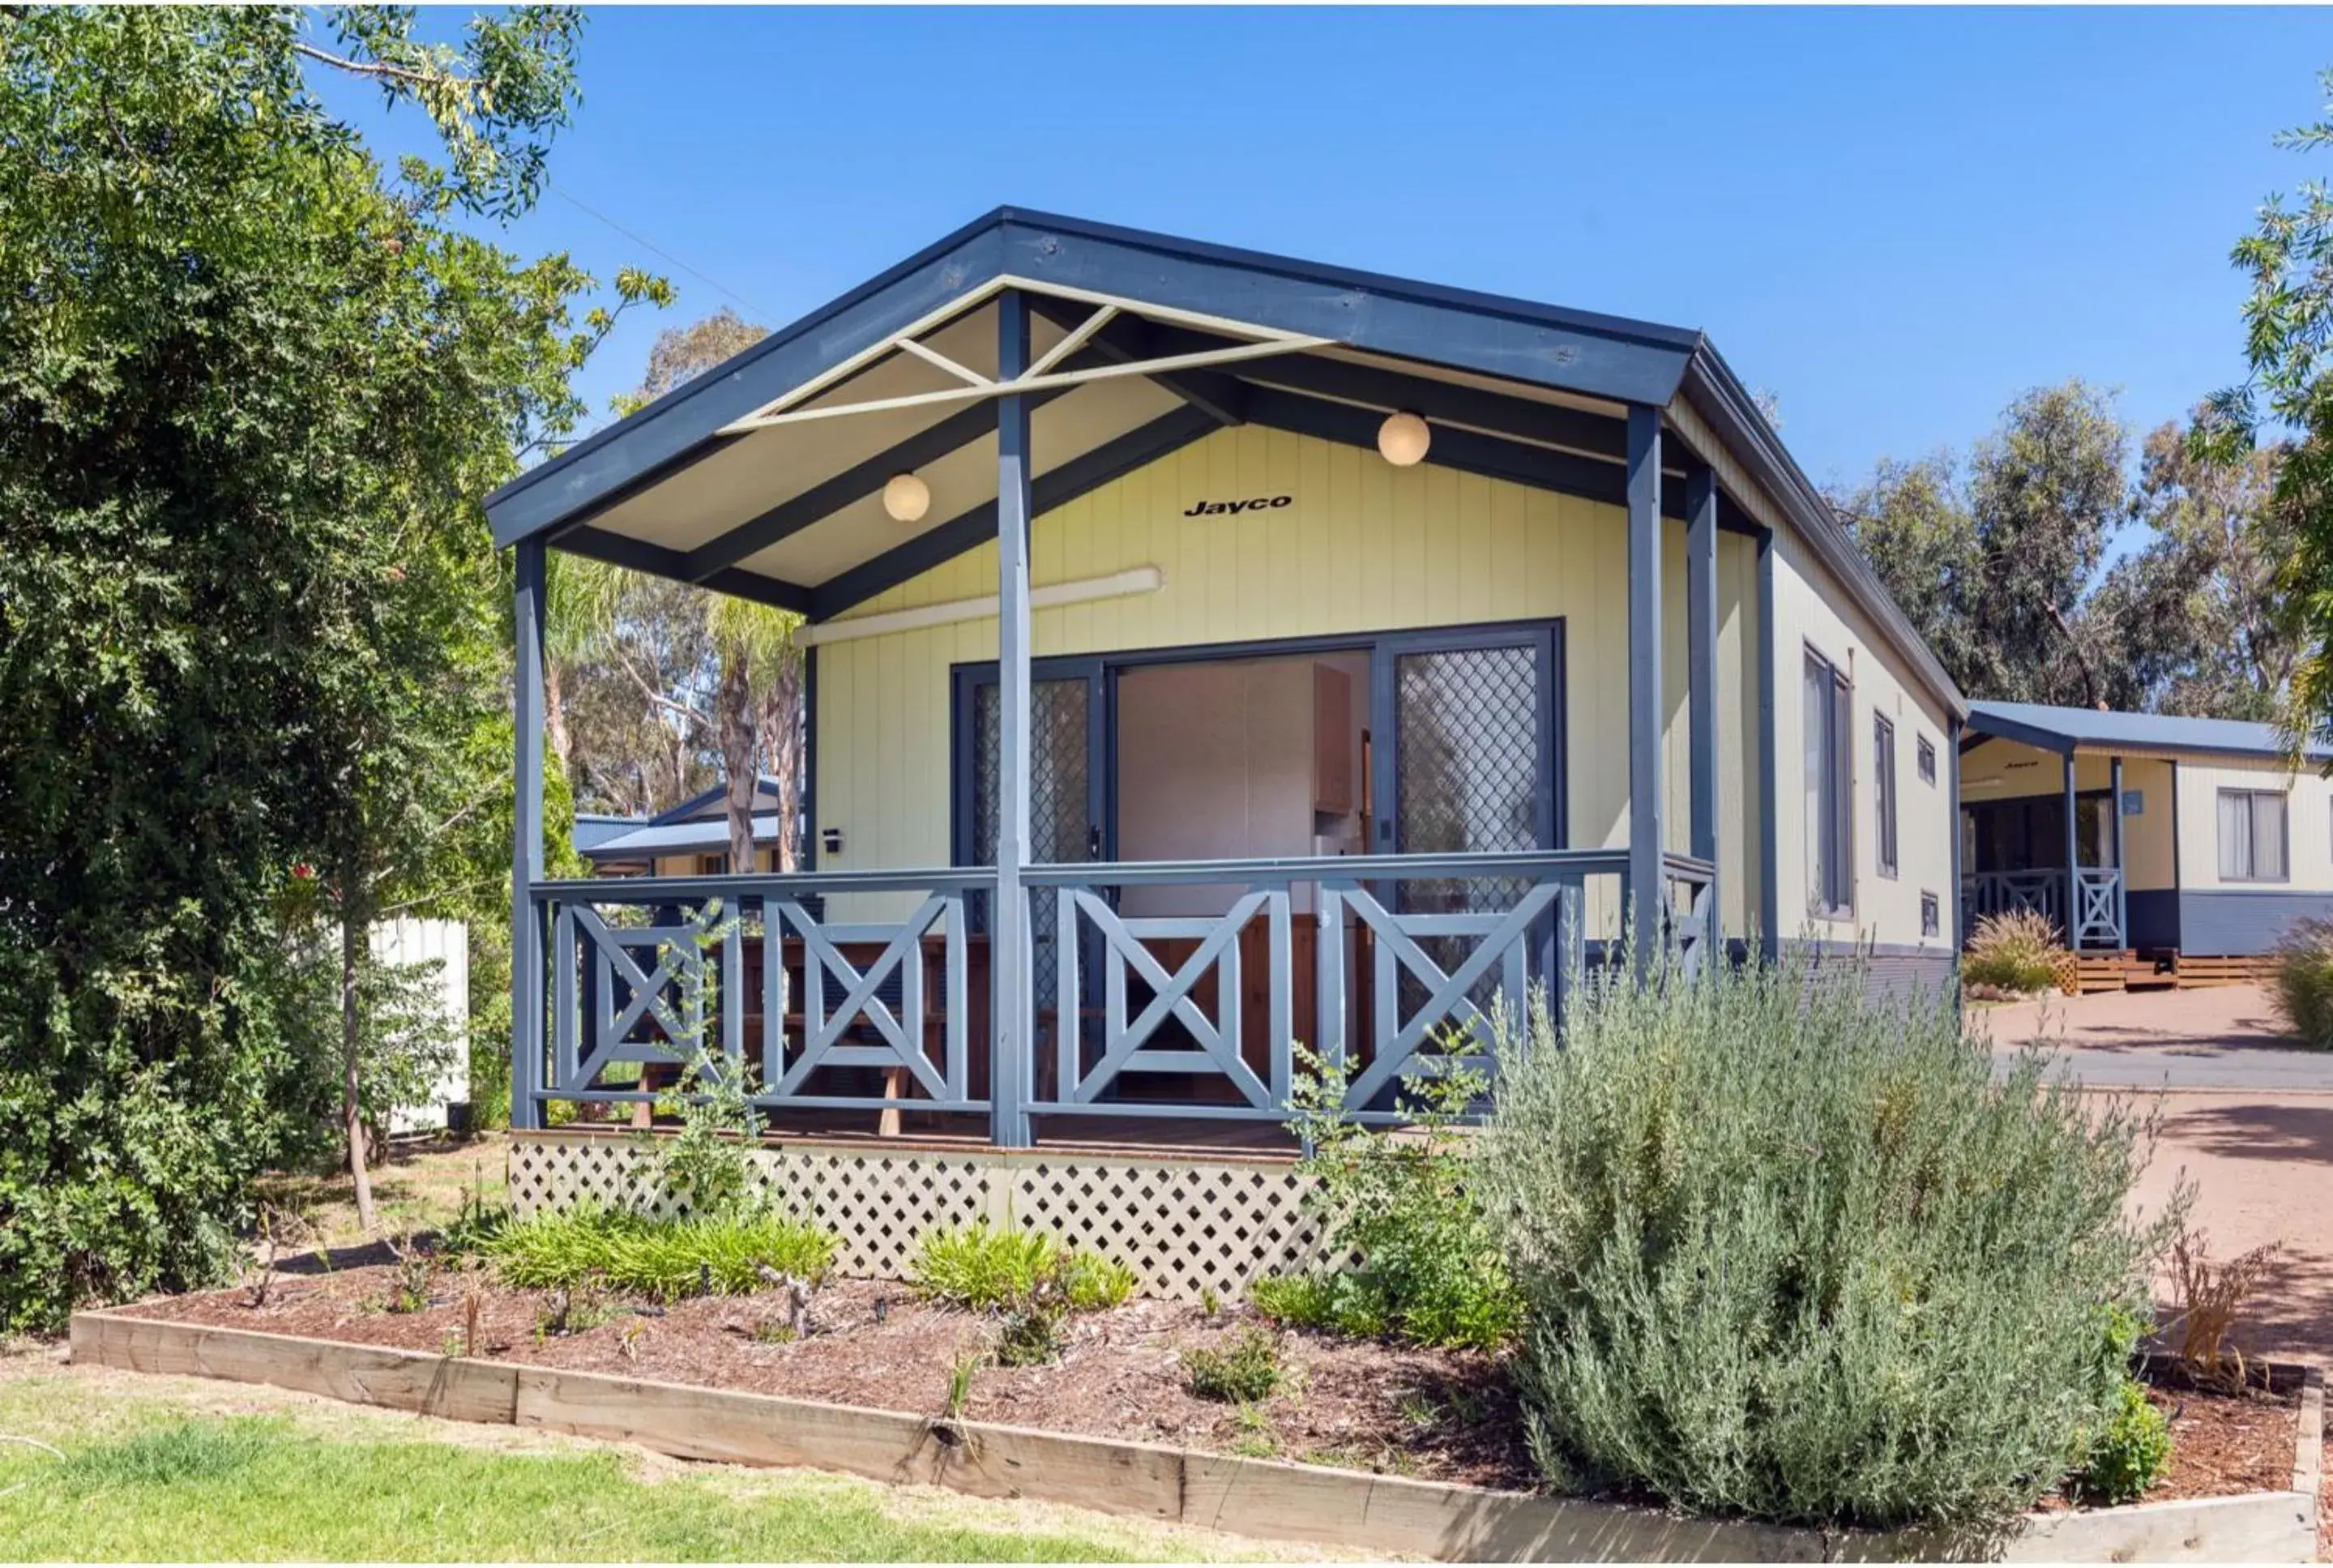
pixel 766 477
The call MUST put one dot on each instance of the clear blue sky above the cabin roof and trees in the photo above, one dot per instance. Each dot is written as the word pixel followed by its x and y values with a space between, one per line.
pixel 1891 220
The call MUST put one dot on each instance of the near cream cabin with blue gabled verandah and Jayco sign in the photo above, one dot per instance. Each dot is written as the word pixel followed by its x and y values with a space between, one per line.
pixel 1214 654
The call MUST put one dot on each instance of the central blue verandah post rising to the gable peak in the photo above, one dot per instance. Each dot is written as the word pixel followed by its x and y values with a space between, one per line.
pixel 1011 972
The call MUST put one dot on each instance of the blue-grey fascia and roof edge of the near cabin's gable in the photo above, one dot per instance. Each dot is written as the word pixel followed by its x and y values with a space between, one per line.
pixel 1401 318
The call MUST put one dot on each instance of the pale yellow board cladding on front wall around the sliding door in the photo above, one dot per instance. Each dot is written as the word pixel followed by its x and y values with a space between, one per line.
pixel 1361 547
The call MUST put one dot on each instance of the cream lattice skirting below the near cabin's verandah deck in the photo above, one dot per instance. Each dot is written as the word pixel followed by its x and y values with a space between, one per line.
pixel 1186 1226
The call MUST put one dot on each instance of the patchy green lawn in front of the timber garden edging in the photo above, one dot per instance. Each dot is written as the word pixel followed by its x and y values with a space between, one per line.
pixel 183 1469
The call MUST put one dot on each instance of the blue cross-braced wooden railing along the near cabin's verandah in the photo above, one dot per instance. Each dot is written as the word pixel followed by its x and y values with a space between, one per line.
pixel 1371 960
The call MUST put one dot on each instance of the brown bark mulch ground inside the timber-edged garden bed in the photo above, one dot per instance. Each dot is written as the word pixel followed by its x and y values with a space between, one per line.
pixel 1361 1406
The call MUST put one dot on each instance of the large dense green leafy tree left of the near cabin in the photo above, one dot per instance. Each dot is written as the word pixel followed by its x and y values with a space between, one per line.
pixel 251 393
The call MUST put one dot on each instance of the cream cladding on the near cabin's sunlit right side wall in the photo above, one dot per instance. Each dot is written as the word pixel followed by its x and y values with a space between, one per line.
pixel 1814 615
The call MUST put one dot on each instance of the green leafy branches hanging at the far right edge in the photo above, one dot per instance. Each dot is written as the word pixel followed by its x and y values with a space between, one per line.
pixel 2290 388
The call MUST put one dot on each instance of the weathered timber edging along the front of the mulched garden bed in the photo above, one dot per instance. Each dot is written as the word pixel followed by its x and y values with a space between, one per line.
pixel 1247 1497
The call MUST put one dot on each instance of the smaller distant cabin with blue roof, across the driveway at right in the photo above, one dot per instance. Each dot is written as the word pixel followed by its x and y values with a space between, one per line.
pixel 2178 841
